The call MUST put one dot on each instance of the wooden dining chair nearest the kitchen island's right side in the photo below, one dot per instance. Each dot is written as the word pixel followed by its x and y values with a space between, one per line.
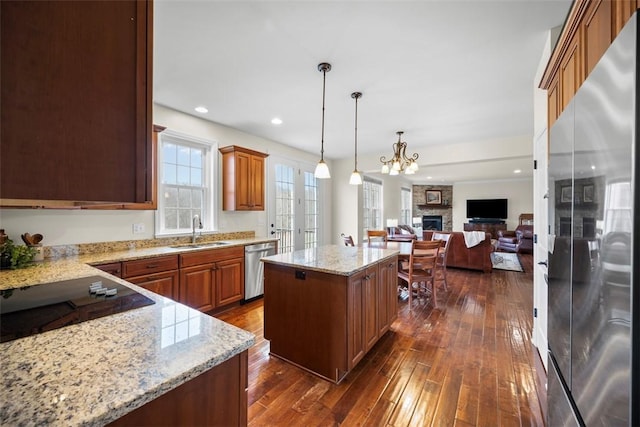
pixel 419 272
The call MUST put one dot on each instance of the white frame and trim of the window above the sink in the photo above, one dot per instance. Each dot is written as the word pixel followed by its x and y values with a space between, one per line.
pixel 210 170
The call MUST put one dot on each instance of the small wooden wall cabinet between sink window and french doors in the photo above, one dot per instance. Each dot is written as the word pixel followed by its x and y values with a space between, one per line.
pixel 242 179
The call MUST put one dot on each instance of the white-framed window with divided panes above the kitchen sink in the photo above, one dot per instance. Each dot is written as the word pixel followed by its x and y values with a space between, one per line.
pixel 184 187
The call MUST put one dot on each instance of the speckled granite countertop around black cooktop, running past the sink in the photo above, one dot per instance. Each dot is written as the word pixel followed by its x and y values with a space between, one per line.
pixel 97 371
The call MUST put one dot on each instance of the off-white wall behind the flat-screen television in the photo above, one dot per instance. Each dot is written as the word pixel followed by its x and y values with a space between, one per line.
pixel 519 195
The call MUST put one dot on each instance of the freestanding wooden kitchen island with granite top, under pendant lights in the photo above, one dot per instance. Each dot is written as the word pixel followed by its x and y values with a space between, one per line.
pixel 325 308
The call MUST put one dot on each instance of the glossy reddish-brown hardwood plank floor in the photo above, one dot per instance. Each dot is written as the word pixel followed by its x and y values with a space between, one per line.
pixel 471 362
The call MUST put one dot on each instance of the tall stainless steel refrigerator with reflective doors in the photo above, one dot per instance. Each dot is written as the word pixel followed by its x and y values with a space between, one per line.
pixel 594 353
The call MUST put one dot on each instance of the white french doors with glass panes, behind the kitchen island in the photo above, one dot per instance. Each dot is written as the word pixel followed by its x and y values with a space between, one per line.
pixel 293 212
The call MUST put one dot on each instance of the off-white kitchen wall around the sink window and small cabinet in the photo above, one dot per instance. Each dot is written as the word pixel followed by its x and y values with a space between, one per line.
pixel 61 227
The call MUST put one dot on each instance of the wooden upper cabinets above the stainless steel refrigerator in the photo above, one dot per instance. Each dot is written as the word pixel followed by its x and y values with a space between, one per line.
pixel 589 30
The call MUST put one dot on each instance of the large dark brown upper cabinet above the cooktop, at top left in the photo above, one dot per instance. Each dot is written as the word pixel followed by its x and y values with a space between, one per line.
pixel 76 104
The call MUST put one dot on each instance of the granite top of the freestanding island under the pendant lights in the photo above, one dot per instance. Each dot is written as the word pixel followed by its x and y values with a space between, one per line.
pixel 335 259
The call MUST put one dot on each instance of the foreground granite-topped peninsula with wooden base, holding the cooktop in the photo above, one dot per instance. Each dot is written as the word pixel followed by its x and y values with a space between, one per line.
pixel 163 360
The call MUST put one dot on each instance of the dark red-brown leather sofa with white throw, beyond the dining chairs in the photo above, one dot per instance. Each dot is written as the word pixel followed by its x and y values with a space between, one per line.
pixel 475 258
